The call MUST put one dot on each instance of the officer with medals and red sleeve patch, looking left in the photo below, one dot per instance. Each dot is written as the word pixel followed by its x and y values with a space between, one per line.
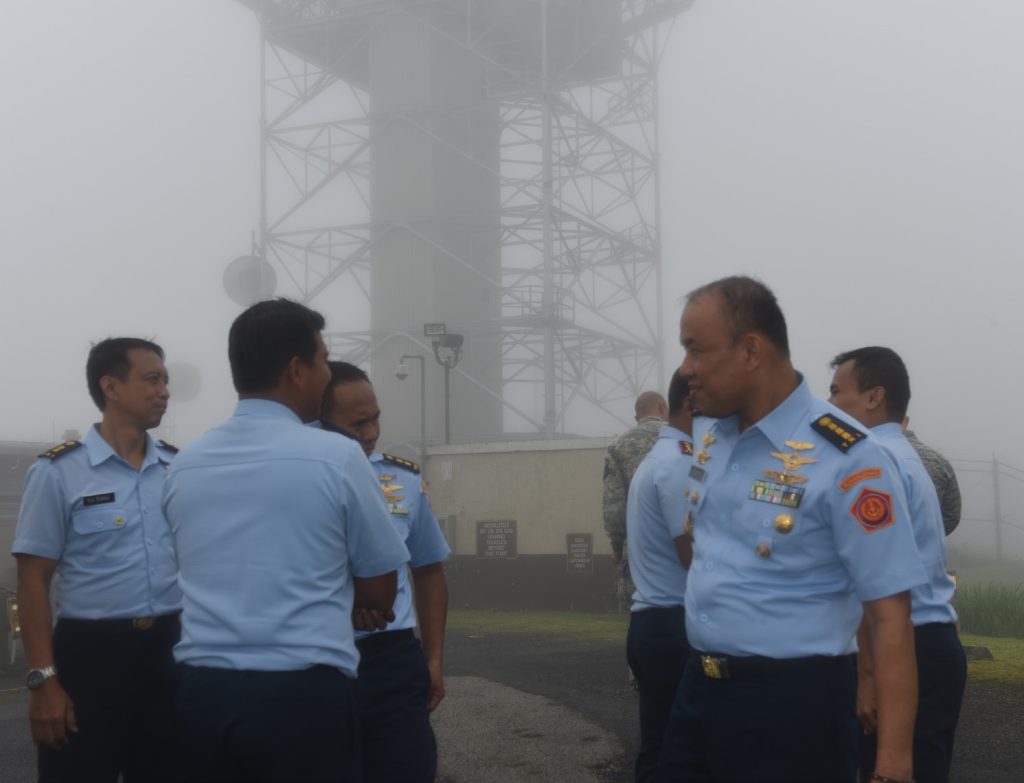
pixel 800 529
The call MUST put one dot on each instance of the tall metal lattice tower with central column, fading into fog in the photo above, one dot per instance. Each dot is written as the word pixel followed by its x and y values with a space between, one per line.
pixel 502 158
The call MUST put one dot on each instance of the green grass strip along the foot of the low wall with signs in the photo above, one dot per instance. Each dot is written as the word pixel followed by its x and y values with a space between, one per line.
pixel 599 627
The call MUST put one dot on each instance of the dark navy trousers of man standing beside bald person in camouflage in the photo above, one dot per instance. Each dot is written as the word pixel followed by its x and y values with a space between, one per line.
pixel 657 651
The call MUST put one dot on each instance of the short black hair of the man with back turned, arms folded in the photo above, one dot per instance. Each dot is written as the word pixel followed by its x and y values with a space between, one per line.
pixel 266 337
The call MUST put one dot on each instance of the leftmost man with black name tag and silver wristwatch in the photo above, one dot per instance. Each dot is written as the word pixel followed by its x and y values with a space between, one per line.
pixel 102 681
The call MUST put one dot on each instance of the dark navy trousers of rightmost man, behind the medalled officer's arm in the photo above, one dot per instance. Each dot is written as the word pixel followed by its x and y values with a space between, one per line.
pixel 942 679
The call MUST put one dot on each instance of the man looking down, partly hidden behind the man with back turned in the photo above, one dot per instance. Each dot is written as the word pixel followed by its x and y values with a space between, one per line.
pixel 401 678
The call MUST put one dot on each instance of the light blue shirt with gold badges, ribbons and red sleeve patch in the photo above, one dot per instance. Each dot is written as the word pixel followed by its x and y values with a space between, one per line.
pixel 783 564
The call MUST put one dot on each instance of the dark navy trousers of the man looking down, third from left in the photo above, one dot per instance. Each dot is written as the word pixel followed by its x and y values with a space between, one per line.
pixel 399 745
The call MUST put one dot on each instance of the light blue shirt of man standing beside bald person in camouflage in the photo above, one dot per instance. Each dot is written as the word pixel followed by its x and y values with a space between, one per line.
pixel 656 510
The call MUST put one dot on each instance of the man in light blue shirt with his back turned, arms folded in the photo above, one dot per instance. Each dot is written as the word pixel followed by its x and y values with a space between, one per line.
pixel 281 532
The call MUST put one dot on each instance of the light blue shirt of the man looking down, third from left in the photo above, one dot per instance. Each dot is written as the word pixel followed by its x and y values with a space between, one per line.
pixel 410 510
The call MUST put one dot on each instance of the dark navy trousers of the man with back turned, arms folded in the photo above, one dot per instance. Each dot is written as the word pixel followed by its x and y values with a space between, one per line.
pixel 278 727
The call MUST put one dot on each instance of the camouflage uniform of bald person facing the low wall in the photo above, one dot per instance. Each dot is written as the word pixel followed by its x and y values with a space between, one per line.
pixel 621 461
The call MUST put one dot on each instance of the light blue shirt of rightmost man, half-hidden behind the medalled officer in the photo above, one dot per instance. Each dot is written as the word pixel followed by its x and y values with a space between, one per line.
pixel 931 602
